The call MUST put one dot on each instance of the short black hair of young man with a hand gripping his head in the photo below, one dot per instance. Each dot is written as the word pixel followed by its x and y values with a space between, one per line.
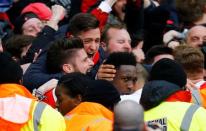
pixel 121 58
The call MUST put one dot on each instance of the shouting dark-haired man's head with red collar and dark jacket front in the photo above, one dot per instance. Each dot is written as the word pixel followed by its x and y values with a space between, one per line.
pixel 86 27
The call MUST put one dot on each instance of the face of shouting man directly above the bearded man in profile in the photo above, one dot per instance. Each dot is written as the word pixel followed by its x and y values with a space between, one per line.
pixel 91 40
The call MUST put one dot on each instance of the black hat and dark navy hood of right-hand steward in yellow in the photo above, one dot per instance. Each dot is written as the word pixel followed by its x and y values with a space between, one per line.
pixel 166 78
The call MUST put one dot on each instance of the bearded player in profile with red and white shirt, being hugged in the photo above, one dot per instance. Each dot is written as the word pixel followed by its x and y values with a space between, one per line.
pixel 64 56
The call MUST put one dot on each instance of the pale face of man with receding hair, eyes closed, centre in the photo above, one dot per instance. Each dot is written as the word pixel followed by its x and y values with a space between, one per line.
pixel 118 41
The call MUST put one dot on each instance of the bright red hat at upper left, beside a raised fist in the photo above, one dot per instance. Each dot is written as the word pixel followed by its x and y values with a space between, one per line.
pixel 39 9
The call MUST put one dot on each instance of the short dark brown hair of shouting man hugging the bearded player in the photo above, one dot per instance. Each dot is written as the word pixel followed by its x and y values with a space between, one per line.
pixel 82 22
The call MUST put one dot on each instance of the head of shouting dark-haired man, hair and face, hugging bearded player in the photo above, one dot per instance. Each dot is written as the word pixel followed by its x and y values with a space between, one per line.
pixel 86 26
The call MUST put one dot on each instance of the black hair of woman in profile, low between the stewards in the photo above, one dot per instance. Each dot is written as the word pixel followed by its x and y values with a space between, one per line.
pixel 75 83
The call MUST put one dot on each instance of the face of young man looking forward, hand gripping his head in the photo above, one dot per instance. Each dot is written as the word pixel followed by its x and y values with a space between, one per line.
pixel 125 79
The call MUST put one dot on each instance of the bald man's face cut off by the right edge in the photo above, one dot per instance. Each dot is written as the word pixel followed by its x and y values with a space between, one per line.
pixel 196 36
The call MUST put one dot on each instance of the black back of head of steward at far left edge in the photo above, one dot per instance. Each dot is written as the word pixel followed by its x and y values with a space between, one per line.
pixel 10 71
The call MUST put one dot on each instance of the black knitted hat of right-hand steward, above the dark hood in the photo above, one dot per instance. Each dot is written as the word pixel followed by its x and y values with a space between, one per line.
pixel 168 70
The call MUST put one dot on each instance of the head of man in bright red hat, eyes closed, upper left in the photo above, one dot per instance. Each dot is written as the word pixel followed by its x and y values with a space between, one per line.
pixel 30 22
